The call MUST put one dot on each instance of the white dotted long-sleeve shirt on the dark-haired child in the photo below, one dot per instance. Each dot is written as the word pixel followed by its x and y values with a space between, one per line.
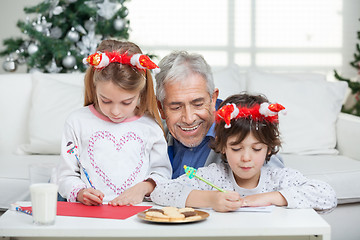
pixel 299 191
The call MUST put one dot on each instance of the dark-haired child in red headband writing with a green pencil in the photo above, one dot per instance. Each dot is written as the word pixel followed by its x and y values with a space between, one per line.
pixel 246 133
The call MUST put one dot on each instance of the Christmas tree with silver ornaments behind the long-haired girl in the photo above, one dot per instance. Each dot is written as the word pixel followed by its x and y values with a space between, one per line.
pixel 63 32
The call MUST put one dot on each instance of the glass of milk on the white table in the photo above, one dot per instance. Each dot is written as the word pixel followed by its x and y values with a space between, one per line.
pixel 43 201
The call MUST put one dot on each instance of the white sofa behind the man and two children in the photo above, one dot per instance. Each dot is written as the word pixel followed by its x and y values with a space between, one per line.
pixel 317 140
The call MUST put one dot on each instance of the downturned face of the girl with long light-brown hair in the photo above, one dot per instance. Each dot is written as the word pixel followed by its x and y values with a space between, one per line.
pixel 114 102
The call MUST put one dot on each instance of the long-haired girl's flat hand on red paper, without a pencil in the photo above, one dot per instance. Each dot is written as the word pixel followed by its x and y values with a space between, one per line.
pixel 134 195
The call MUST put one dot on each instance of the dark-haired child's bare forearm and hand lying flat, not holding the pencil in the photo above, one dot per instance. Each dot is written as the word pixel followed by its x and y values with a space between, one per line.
pixel 264 199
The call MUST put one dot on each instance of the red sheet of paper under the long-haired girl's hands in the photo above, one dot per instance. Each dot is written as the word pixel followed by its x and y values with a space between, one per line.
pixel 102 211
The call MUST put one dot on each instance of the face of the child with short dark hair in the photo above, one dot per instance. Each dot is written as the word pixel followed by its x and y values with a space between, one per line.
pixel 246 159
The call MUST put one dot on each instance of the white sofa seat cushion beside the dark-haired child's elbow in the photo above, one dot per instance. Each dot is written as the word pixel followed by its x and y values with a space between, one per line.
pixel 341 172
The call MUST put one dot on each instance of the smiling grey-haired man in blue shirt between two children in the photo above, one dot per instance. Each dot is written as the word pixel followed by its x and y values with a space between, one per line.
pixel 187 100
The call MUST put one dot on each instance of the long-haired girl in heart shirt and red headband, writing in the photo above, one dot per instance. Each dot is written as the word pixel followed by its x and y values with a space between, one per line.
pixel 113 149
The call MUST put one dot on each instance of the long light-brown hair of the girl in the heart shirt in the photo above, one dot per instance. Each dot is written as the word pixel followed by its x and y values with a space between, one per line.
pixel 124 76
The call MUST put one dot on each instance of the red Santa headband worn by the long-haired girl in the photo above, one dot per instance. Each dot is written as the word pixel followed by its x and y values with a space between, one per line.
pixel 101 60
